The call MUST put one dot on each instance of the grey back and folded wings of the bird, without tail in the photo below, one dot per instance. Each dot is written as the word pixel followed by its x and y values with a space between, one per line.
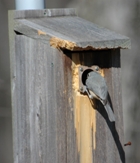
pixel 96 83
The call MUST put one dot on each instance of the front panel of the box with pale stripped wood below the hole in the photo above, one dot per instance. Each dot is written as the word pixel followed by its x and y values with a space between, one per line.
pixel 98 139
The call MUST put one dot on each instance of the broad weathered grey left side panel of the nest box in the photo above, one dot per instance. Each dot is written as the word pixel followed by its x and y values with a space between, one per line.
pixel 42 106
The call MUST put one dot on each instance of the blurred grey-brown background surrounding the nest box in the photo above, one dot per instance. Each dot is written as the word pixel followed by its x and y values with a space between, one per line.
pixel 117 15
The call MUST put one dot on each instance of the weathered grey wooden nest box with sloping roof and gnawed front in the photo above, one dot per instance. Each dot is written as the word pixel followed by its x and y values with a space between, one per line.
pixel 53 122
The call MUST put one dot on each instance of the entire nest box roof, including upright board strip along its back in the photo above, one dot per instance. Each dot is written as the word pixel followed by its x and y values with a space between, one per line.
pixel 64 29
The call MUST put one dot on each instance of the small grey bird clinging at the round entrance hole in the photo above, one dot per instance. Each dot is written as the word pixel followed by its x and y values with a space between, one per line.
pixel 97 88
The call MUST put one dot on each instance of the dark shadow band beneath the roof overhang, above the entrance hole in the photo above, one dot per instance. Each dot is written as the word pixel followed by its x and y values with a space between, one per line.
pixel 102 58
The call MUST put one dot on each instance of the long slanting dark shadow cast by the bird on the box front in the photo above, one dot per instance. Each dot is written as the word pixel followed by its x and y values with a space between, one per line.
pixel 112 127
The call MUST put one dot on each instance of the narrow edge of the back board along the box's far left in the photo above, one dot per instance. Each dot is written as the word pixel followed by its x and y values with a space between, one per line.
pixel 13 92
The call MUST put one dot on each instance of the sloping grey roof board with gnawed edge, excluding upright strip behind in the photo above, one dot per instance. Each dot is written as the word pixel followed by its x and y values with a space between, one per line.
pixel 90 36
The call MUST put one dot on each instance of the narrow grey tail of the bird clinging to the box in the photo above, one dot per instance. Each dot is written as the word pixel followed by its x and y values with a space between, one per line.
pixel 109 111
